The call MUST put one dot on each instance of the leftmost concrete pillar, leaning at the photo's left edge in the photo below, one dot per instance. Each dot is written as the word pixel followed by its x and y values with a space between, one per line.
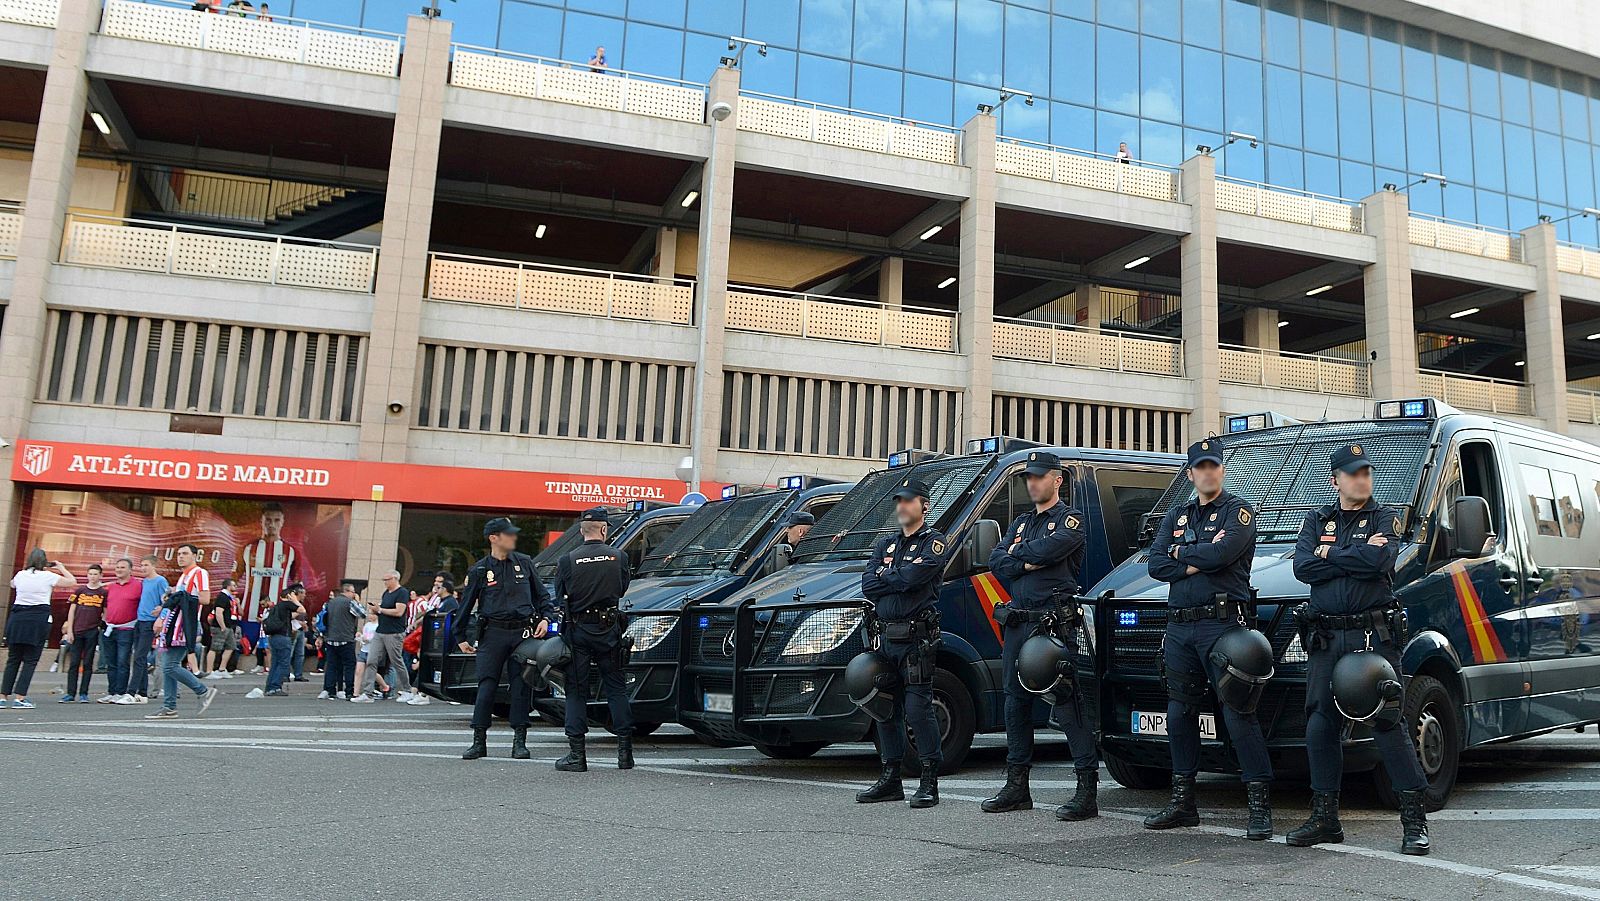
pixel 39 244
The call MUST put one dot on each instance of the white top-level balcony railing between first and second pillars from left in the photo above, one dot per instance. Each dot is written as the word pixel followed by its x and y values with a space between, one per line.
pixel 276 38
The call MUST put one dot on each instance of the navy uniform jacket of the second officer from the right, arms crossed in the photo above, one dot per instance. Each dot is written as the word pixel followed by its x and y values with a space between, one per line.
pixel 1217 539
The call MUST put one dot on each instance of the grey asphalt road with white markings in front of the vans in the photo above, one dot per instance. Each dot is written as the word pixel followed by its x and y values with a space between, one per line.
pixel 297 796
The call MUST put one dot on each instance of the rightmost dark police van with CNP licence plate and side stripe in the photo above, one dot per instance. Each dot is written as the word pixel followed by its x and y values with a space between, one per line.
pixel 1498 575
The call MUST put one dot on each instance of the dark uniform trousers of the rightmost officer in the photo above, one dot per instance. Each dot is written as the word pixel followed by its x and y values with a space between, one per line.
pixel 1326 724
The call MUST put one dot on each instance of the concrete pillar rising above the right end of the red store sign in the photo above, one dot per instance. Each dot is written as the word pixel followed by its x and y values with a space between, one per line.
pixel 711 273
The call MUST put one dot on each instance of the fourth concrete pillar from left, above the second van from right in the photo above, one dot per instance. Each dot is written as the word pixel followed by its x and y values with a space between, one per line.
pixel 977 279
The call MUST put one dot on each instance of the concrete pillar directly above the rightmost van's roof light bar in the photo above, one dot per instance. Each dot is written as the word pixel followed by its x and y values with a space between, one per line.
pixel 1391 318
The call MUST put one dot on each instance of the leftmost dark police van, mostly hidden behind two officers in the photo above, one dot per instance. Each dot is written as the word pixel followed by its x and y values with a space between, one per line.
pixel 638 529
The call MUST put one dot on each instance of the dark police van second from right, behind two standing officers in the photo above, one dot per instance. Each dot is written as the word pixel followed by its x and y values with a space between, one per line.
pixel 767 665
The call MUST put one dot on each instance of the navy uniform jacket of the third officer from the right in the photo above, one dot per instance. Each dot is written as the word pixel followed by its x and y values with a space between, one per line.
pixel 1054 542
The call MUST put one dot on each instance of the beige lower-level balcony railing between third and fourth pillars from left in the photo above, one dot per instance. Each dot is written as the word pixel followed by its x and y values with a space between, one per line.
pixel 839 319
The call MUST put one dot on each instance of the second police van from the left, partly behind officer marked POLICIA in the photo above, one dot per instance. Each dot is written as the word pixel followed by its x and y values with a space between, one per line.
pixel 722 548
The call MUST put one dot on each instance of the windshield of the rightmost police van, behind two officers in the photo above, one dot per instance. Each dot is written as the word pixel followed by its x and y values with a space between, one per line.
pixel 1284 473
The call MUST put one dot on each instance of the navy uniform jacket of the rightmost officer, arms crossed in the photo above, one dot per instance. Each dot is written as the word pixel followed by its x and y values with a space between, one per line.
pixel 1354 575
